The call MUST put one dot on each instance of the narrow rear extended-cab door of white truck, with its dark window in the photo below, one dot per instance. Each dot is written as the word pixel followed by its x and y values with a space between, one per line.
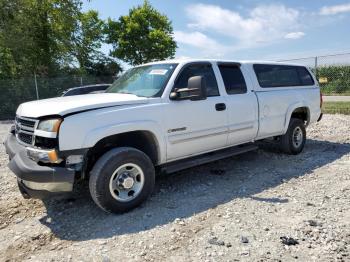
pixel 241 105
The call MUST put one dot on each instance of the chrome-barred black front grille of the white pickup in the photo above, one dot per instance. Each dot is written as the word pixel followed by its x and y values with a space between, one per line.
pixel 24 129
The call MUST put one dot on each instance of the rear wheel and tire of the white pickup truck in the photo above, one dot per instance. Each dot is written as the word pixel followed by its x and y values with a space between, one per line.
pixel 294 140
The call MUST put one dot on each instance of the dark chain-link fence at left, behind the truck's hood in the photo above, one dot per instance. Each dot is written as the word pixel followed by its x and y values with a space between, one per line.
pixel 16 91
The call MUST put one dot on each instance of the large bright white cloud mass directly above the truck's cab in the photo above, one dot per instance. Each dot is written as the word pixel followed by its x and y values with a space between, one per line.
pixel 260 26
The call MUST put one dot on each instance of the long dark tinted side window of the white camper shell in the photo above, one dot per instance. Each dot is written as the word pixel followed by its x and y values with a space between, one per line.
pixel 282 75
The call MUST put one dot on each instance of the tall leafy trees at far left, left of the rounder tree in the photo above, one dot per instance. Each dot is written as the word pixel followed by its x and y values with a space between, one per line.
pixel 50 38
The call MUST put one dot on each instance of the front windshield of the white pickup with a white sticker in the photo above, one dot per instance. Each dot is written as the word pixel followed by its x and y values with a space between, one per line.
pixel 147 81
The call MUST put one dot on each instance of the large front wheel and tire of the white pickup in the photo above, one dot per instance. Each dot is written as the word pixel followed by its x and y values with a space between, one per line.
pixel 110 179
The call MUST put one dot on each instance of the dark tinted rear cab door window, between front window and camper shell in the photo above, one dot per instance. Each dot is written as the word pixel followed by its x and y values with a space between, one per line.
pixel 233 79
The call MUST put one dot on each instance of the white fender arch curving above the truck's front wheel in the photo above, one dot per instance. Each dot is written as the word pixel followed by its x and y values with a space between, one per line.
pixel 95 135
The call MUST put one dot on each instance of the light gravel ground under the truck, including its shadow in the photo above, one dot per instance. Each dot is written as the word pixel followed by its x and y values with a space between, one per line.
pixel 260 206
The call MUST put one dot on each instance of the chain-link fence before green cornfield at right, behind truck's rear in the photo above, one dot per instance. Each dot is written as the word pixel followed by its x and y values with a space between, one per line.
pixel 332 72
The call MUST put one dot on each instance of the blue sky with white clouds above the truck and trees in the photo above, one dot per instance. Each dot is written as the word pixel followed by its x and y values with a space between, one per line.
pixel 250 29
